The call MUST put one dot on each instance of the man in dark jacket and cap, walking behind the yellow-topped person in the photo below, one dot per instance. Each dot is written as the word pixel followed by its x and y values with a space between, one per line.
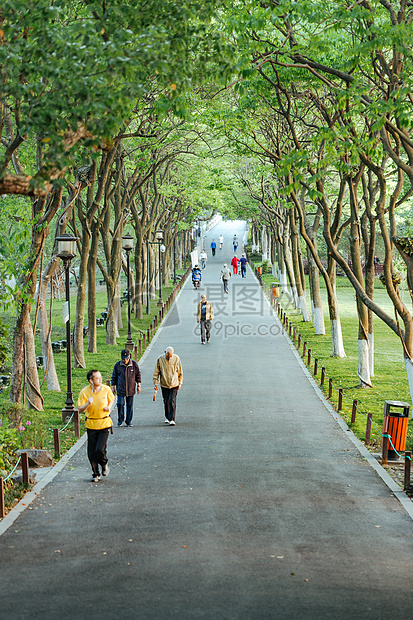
pixel 125 375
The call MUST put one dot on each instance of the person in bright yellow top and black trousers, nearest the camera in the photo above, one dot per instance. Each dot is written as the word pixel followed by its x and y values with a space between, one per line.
pixel 97 400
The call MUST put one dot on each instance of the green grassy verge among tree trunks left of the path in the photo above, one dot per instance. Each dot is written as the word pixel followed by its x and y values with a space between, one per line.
pixel 34 429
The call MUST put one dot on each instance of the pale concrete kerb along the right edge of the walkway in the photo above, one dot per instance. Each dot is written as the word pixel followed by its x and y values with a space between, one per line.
pixel 387 479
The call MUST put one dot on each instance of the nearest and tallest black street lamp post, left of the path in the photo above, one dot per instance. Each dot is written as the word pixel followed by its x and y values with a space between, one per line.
pixel 66 250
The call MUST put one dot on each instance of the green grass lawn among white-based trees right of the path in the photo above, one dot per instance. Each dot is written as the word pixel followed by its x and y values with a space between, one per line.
pixel 390 379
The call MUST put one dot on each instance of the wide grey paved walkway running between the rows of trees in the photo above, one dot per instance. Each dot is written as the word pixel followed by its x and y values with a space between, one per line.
pixel 255 506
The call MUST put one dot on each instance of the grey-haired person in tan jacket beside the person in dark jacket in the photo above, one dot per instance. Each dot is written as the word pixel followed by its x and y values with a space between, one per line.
pixel 168 372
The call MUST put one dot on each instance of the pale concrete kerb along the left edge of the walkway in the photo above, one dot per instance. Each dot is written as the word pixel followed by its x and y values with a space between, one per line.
pixel 10 518
